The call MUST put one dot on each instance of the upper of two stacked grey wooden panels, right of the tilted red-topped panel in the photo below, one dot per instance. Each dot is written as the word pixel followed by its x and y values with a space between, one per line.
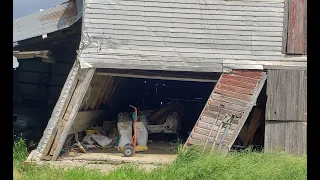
pixel 287 95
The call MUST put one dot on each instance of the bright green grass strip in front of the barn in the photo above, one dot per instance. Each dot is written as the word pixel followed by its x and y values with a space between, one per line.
pixel 190 164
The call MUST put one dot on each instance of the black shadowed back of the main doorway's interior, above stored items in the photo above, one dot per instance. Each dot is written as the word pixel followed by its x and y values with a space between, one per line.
pixel 152 94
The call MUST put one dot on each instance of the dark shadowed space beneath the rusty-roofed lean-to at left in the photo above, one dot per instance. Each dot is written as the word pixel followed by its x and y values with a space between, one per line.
pixel 37 82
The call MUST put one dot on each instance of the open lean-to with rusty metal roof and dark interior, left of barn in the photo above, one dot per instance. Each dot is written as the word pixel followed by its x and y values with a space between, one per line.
pixel 44 45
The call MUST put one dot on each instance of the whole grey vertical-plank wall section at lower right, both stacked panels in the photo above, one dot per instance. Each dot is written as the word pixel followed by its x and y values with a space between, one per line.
pixel 286 111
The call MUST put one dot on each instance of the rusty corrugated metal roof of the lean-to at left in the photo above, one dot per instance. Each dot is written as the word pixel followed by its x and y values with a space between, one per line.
pixel 50 20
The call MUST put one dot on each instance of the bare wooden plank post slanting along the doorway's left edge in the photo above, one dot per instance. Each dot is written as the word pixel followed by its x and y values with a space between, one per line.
pixel 79 95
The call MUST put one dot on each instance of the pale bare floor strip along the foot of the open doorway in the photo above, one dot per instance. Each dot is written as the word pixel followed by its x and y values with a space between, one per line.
pixel 106 160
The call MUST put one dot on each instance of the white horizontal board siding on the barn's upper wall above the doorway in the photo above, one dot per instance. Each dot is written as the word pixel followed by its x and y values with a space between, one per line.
pixel 180 35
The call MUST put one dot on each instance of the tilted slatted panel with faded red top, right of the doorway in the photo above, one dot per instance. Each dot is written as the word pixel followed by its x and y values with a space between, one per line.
pixel 236 99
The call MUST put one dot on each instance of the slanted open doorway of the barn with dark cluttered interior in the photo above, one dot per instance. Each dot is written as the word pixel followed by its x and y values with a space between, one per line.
pixel 167 108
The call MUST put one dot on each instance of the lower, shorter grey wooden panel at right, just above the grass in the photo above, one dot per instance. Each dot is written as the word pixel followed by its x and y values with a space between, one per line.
pixel 286 136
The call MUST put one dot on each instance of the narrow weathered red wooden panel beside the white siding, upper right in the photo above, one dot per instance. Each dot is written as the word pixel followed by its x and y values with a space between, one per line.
pixel 297 31
